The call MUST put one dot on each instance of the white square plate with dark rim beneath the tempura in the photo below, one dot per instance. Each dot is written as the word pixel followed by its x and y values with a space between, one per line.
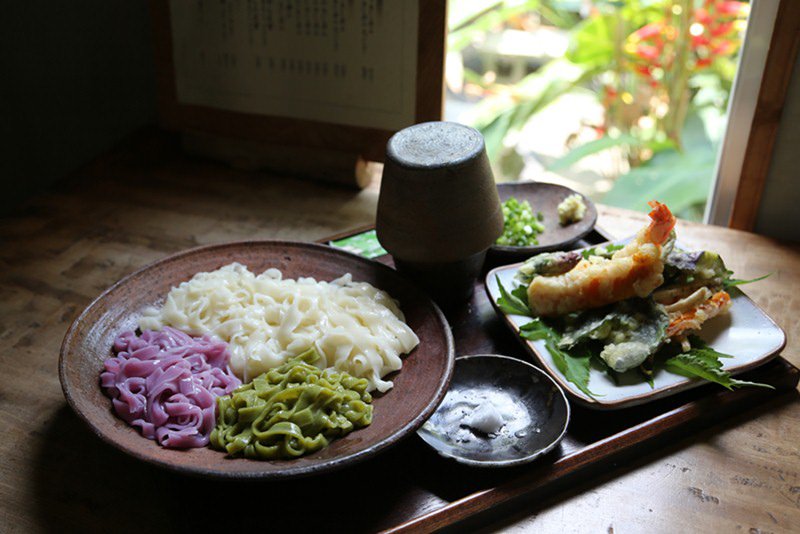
pixel 745 332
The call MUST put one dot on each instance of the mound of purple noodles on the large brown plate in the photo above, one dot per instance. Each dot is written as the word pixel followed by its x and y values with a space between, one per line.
pixel 166 384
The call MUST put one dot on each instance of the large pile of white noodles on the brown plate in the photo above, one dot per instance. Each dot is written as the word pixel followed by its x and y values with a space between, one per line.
pixel 266 320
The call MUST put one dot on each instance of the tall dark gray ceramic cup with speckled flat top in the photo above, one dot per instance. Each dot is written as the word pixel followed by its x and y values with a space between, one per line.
pixel 438 210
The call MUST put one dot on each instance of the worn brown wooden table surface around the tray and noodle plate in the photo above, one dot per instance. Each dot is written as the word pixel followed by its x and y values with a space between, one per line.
pixel 145 200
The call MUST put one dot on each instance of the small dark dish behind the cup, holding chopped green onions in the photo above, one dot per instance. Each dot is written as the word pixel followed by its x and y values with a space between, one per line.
pixel 545 198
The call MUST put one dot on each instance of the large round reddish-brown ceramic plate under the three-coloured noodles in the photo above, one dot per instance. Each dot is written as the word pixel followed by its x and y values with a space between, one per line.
pixel 418 387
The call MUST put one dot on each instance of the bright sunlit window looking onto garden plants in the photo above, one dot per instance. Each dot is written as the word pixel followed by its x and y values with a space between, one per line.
pixel 624 101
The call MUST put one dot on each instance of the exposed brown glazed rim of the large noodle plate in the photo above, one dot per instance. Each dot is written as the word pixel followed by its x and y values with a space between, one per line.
pixel 83 397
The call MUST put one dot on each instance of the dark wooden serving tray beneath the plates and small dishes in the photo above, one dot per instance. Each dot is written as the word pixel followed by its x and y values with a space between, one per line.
pixel 411 488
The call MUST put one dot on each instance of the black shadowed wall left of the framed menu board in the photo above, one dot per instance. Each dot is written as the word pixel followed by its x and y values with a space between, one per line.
pixel 77 77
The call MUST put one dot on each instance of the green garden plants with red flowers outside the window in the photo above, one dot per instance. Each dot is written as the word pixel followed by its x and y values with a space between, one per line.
pixel 628 54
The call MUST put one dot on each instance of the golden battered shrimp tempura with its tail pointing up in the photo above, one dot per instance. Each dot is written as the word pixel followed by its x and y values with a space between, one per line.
pixel 633 271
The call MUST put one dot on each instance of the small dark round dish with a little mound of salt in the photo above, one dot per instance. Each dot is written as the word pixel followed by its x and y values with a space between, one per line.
pixel 533 409
